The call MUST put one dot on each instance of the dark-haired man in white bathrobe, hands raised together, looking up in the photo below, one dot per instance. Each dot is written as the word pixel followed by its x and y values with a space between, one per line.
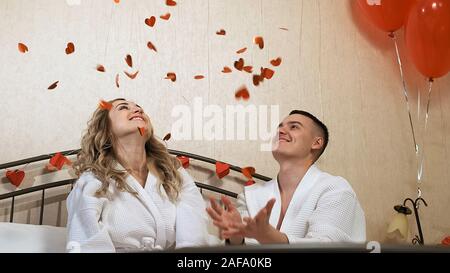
pixel 303 204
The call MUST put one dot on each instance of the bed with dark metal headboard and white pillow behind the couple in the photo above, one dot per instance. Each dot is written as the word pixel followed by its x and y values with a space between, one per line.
pixel 35 236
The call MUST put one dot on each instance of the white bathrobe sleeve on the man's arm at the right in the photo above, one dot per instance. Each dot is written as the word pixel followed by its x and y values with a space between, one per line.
pixel 333 220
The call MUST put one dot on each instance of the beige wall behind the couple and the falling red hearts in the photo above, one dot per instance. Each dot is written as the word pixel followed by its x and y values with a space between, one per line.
pixel 334 65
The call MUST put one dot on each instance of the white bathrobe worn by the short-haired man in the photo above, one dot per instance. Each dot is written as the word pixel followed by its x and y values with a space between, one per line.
pixel 324 208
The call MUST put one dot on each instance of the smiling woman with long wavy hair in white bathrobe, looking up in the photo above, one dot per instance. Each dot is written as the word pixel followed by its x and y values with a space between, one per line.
pixel 131 194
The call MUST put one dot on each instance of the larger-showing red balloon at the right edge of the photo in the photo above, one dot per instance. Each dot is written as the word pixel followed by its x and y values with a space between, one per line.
pixel 428 37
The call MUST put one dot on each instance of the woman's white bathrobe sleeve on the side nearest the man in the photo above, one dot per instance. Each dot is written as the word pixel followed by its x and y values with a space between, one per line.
pixel 191 219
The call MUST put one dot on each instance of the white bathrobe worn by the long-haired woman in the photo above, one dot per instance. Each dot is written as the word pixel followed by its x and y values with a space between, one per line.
pixel 126 222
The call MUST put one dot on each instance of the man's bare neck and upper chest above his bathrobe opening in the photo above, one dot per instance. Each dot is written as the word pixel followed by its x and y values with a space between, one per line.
pixel 291 173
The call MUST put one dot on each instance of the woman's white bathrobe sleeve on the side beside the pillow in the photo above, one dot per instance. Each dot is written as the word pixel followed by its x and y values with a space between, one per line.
pixel 86 232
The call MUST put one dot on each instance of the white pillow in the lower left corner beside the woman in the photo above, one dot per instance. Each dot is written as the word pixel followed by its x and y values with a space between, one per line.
pixel 31 238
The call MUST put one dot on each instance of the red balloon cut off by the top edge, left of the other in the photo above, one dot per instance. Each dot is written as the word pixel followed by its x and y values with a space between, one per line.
pixel 387 15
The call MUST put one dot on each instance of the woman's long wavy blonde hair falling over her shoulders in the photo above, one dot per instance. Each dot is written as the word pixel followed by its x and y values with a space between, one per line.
pixel 97 156
